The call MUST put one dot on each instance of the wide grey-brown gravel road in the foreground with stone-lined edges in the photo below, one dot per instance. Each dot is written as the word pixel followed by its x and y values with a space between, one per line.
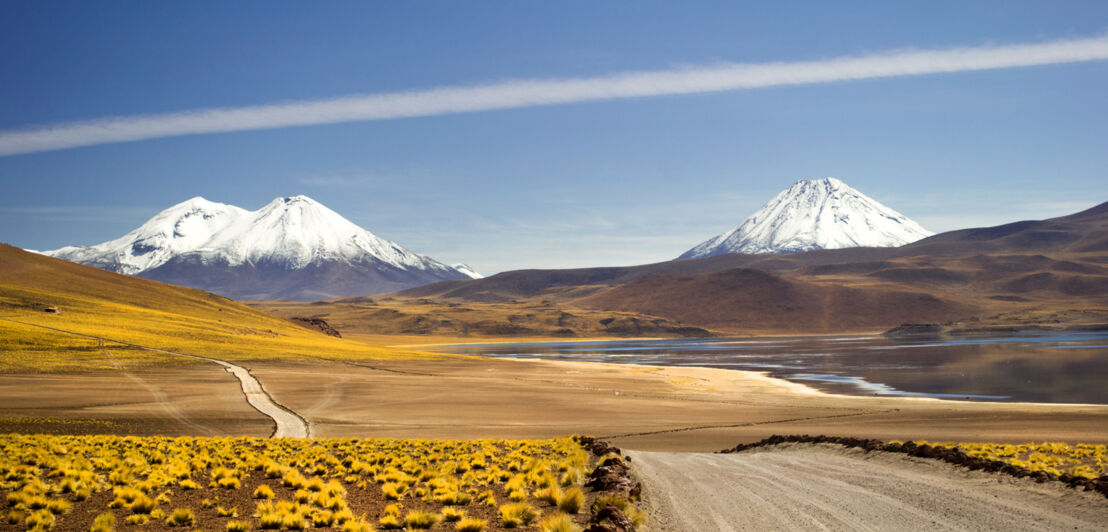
pixel 796 487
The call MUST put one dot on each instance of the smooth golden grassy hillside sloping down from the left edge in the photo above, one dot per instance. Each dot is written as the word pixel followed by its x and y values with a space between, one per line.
pixel 145 313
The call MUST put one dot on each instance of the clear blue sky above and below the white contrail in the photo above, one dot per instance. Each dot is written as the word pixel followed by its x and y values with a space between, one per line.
pixel 592 183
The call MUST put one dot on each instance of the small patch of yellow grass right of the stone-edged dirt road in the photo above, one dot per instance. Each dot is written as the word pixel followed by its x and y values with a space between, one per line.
pixel 1084 461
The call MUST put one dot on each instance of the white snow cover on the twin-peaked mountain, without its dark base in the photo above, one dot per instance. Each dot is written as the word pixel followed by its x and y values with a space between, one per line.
pixel 291 232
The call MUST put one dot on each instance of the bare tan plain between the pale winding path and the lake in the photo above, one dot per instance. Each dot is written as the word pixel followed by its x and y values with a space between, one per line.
pixel 662 410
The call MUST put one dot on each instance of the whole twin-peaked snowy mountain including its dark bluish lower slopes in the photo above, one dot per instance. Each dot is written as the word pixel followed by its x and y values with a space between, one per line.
pixel 292 249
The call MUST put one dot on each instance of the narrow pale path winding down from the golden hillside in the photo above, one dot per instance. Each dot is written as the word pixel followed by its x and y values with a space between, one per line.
pixel 289 424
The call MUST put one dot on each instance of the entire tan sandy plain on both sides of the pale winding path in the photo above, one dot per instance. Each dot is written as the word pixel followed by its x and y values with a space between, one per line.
pixel 644 408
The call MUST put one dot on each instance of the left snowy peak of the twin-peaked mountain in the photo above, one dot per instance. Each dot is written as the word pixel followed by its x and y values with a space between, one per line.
pixel 178 230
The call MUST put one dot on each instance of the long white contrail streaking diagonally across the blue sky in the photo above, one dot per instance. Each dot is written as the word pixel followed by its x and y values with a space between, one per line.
pixel 526 94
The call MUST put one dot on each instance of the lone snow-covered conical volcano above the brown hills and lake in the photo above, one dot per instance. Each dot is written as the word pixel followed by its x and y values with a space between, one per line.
pixel 815 214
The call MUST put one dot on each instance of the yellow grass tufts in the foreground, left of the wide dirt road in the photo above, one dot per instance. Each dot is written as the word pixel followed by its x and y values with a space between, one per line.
pixel 102 483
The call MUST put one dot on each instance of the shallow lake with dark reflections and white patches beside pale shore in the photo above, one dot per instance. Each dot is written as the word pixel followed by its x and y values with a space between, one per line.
pixel 1039 367
